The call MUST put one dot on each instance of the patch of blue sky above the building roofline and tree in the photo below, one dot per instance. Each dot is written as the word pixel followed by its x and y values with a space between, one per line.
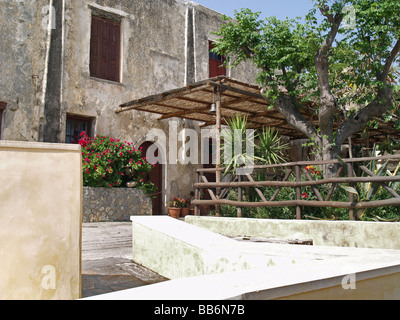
pixel 279 8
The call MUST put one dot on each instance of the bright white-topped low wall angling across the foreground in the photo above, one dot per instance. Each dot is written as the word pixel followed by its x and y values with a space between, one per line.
pixel 203 265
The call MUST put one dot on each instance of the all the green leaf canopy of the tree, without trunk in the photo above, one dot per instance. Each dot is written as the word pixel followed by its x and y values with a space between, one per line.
pixel 285 52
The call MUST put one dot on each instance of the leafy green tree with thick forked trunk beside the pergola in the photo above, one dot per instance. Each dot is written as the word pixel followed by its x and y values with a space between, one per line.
pixel 327 60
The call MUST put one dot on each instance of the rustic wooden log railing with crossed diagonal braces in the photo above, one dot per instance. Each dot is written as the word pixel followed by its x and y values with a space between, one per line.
pixel 278 176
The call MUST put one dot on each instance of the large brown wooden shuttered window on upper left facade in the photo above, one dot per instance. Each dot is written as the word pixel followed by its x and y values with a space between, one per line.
pixel 105 46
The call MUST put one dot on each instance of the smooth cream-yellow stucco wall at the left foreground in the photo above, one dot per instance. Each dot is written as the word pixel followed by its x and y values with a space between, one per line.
pixel 40 221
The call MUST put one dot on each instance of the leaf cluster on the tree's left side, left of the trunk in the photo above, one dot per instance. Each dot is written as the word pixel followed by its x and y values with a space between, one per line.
pixel 279 48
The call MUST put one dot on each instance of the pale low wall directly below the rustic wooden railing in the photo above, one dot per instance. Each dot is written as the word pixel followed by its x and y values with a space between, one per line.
pixel 358 234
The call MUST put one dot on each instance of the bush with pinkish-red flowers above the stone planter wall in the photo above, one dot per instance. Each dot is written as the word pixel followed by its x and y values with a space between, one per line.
pixel 109 163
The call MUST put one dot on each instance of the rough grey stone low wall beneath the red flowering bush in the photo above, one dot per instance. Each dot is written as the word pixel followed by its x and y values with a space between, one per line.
pixel 114 204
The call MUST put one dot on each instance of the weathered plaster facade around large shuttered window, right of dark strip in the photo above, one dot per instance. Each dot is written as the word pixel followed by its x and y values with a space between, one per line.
pixel 157 52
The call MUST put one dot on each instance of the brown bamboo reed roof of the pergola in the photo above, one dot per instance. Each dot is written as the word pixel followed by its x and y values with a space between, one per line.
pixel 194 101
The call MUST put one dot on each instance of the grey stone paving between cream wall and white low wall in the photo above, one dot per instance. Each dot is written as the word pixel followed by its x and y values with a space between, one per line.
pixel 107 264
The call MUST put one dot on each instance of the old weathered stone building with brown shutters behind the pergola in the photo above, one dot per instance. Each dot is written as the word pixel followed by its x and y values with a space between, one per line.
pixel 67 65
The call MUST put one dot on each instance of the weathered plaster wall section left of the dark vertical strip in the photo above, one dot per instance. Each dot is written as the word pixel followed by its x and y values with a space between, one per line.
pixel 22 67
